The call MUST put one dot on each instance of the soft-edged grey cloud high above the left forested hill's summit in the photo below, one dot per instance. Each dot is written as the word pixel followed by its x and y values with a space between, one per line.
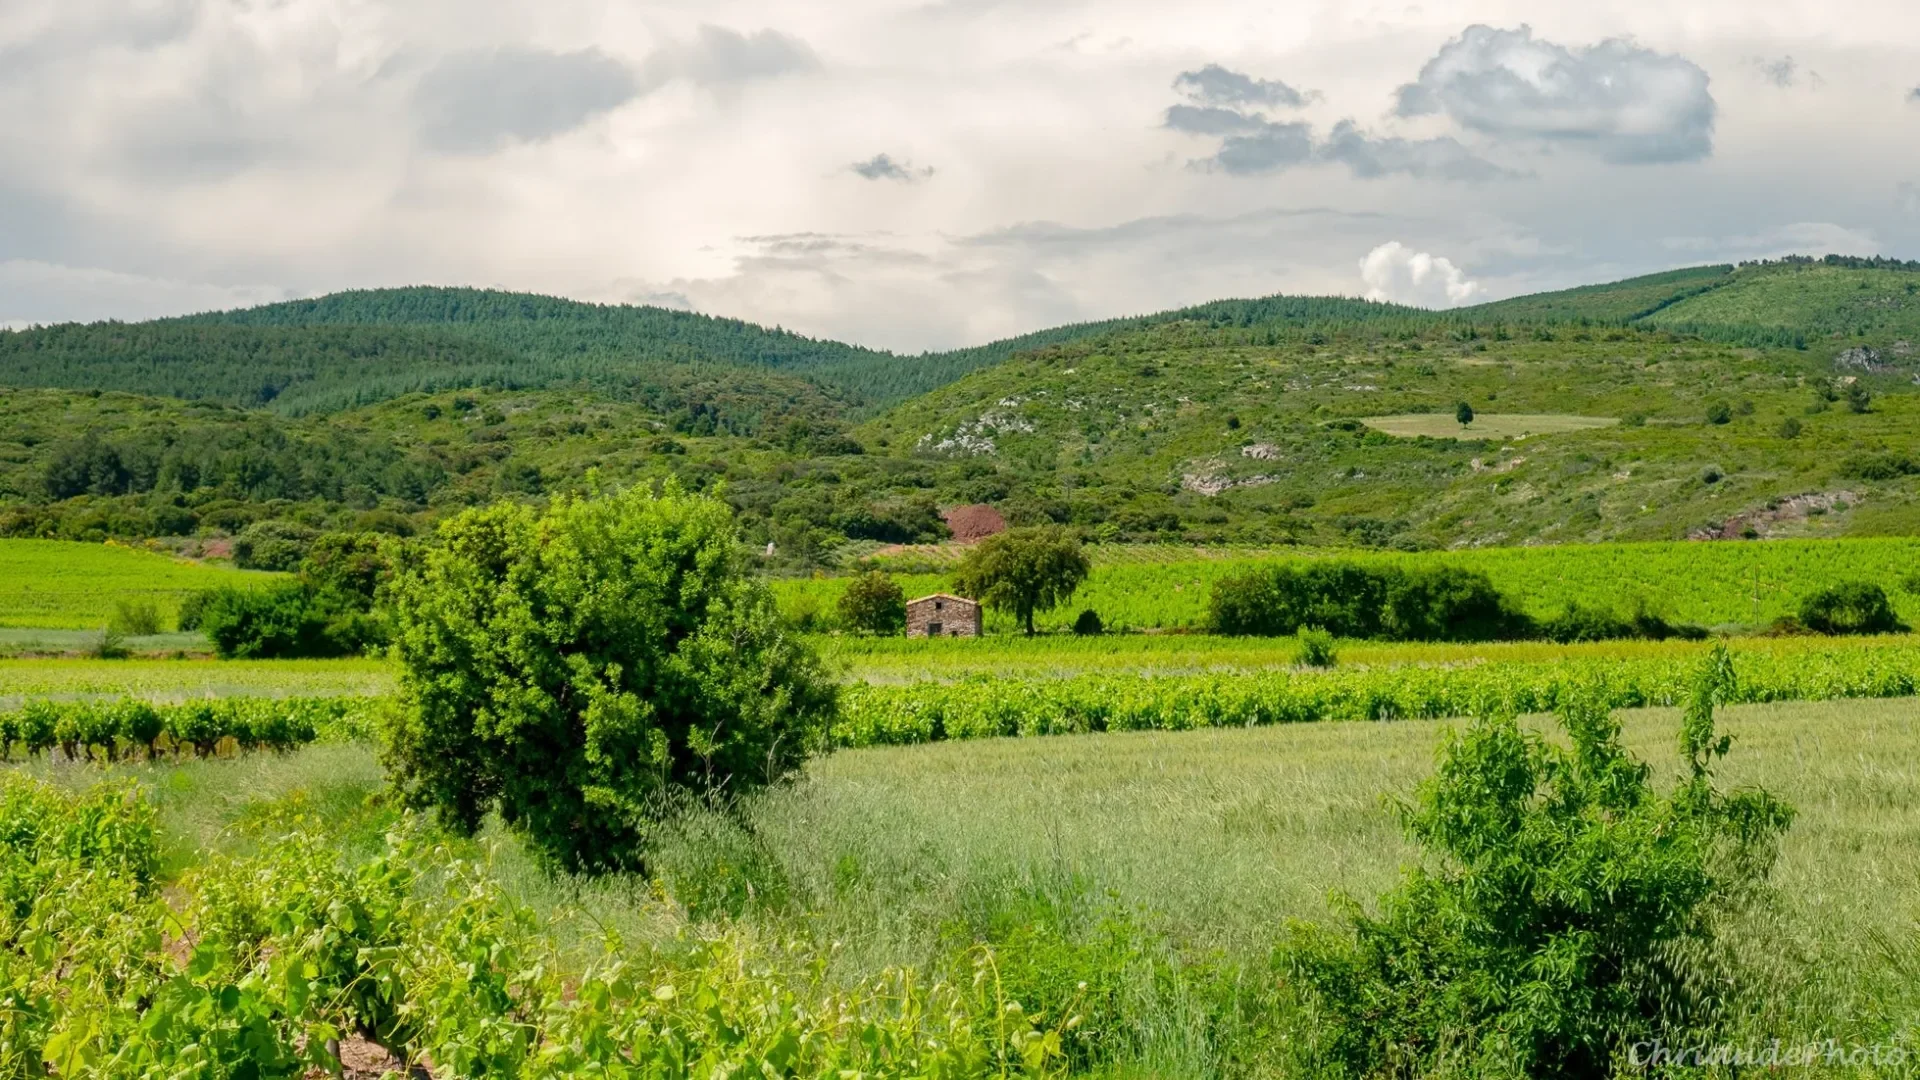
pixel 473 103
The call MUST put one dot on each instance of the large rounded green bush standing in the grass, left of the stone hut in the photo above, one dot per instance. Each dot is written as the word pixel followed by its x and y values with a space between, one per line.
pixel 577 670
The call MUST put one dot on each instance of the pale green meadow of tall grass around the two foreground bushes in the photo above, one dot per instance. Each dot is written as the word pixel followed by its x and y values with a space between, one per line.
pixel 1161 866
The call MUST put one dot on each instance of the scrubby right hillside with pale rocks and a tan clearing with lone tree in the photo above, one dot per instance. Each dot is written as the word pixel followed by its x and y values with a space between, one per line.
pixel 1214 435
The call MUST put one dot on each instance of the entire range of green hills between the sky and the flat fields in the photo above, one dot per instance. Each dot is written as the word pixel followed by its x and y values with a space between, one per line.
pixel 1708 401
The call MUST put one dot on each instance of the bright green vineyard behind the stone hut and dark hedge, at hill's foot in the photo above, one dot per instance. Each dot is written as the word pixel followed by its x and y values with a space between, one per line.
pixel 1710 585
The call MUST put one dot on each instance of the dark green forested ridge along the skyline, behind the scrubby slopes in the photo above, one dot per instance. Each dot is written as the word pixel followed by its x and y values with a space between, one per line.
pixel 368 347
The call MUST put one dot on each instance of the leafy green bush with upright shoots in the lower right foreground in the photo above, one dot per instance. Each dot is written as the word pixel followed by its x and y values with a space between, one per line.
pixel 1568 908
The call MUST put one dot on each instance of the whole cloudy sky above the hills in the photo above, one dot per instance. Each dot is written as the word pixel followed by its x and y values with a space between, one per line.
pixel 921 176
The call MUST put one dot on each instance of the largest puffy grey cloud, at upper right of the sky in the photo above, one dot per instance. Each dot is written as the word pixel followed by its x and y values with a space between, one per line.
pixel 1623 103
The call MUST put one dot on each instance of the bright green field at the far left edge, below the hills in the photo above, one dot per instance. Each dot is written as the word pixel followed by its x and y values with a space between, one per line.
pixel 76 587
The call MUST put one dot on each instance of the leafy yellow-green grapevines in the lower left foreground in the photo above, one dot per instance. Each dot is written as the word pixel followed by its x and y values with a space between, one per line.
pixel 281 958
